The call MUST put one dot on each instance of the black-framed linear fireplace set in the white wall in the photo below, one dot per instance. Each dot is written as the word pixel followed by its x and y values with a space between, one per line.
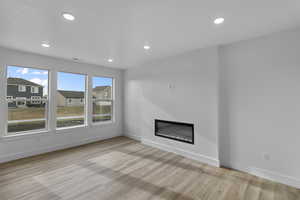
pixel 179 131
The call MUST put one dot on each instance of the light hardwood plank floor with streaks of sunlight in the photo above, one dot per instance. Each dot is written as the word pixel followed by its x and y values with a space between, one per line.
pixel 122 168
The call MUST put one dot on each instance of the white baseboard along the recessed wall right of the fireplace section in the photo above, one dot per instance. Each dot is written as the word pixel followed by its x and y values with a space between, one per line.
pixel 270 175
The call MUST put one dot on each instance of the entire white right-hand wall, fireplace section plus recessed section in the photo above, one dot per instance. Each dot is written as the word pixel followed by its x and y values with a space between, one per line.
pixel 243 99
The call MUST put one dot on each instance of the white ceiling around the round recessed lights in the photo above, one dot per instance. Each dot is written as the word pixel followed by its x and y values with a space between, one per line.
pixel 120 28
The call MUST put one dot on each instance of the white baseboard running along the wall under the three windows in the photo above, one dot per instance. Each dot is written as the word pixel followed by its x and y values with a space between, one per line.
pixel 20 155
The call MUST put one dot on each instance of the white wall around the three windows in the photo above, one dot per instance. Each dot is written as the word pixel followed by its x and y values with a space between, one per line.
pixel 20 146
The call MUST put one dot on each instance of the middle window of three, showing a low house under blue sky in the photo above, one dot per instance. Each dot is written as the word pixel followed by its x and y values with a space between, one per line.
pixel 70 111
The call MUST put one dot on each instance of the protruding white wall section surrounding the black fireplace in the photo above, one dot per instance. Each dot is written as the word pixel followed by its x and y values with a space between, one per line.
pixel 193 99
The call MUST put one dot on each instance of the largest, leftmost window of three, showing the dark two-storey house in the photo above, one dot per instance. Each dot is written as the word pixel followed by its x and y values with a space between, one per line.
pixel 24 114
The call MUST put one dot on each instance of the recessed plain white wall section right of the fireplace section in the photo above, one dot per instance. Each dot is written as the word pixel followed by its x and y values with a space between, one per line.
pixel 260 106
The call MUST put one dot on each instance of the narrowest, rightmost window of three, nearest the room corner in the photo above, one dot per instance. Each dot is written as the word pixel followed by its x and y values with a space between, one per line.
pixel 102 99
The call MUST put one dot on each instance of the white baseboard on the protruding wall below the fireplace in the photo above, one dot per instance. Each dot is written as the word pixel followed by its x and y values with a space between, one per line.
pixel 201 158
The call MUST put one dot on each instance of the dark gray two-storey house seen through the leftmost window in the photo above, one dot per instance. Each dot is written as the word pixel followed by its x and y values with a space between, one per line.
pixel 22 93
